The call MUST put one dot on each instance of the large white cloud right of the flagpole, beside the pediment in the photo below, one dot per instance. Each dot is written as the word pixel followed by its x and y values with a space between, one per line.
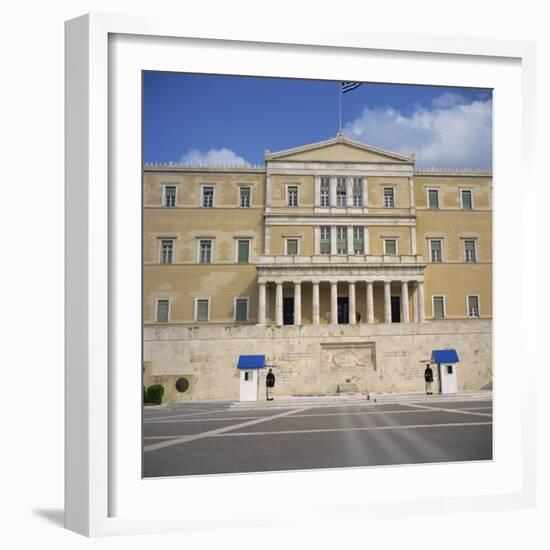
pixel 456 136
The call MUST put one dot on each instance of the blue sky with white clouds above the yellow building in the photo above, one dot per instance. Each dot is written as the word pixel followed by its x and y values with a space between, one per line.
pixel 216 119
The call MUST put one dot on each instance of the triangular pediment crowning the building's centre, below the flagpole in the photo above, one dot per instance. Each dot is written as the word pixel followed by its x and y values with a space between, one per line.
pixel 339 149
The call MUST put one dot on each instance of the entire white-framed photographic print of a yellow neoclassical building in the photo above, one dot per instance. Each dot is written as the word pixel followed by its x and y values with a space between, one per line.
pixel 287 268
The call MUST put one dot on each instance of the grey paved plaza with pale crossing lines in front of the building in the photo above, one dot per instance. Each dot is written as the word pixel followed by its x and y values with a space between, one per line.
pixel 212 438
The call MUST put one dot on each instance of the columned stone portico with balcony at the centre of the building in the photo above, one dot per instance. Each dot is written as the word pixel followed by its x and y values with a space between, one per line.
pixel 307 290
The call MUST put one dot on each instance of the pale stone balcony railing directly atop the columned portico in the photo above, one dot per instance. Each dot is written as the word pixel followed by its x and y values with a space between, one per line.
pixel 352 259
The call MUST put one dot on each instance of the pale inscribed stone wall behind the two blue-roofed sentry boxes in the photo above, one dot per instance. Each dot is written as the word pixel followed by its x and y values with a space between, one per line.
pixel 314 360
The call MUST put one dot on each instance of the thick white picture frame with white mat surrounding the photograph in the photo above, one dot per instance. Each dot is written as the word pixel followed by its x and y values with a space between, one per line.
pixel 102 498
